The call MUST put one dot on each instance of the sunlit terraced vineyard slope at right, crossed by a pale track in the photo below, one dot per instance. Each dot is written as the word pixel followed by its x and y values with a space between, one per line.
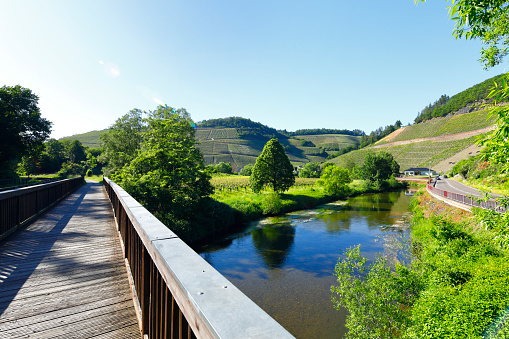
pixel 441 142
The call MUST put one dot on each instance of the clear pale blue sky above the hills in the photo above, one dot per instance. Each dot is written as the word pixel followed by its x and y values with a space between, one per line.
pixel 287 64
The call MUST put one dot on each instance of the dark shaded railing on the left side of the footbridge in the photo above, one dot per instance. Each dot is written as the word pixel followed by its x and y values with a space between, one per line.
pixel 20 206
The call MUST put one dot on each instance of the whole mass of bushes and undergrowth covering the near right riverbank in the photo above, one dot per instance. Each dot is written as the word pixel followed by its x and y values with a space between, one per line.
pixel 456 285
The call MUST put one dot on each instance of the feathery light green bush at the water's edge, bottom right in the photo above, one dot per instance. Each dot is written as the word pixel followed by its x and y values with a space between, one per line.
pixel 376 297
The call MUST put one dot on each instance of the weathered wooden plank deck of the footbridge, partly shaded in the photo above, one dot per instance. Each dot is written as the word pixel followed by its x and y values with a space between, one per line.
pixel 64 275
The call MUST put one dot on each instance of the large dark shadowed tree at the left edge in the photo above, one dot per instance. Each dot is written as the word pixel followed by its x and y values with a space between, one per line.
pixel 22 129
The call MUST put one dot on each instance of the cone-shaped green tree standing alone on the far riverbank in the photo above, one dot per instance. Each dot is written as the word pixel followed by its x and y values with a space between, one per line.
pixel 272 168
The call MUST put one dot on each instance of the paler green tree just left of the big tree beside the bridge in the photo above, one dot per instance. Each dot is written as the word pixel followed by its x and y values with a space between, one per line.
pixel 122 141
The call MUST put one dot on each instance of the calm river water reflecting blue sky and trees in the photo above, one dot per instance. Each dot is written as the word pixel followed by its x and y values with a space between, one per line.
pixel 285 264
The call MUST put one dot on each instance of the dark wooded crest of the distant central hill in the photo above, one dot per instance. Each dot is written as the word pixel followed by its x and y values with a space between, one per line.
pixel 246 128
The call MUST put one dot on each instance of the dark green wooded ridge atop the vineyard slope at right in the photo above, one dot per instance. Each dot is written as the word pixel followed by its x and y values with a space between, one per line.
pixel 464 102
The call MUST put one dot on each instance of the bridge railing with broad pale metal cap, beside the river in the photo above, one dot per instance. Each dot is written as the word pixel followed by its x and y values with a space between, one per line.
pixel 178 294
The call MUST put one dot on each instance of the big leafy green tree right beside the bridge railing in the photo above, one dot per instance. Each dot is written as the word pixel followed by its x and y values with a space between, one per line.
pixel 168 174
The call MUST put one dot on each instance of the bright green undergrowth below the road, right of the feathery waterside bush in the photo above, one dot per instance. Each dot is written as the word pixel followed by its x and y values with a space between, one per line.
pixel 464 270
